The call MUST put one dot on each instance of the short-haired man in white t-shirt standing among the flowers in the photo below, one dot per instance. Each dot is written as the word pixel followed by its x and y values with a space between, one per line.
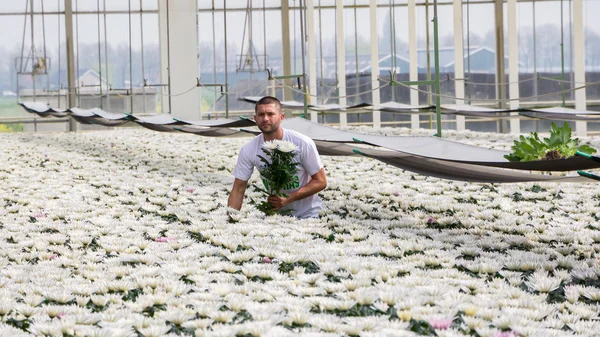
pixel 304 200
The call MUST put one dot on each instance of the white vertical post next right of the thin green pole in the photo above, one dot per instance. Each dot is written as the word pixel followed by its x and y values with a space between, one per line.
pixel 459 62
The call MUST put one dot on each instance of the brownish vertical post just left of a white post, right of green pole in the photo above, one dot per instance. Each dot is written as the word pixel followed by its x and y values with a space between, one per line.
pixel 500 72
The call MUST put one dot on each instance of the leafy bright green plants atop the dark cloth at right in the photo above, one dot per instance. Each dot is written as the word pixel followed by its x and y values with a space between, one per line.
pixel 559 145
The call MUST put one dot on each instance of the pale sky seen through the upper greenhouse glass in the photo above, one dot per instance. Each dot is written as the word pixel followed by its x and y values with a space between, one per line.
pixel 481 20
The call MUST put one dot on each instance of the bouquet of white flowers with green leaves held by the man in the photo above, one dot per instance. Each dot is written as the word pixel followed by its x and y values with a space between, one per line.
pixel 279 171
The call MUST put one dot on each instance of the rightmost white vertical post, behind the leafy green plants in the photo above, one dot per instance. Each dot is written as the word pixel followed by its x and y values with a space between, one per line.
pixel 579 56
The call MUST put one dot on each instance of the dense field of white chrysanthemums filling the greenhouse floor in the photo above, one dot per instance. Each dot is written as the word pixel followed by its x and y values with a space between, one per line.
pixel 124 233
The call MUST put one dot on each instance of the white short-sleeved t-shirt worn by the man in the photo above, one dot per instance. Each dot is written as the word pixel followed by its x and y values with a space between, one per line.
pixel 306 155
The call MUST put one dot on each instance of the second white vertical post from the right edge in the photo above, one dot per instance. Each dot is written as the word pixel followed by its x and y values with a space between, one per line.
pixel 513 64
